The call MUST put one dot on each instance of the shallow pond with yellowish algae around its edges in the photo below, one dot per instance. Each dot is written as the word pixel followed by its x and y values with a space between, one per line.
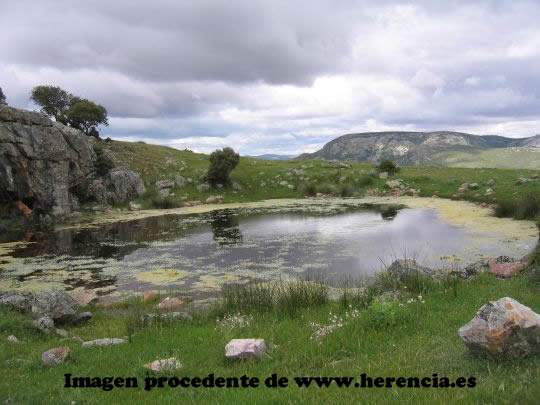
pixel 198 251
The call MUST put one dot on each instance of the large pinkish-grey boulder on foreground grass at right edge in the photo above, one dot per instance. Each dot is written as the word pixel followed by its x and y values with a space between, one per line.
pixel 503 327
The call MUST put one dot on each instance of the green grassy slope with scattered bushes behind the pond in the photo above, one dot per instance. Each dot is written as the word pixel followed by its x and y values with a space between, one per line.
pixel 259 179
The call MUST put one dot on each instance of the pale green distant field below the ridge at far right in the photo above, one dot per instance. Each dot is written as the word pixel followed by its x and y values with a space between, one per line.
pixel 504 158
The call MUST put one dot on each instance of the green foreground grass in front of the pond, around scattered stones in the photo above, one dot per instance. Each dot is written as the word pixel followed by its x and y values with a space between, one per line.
pixel 389 340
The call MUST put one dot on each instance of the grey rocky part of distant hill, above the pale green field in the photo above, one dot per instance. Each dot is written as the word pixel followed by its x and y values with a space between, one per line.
pixel 414 148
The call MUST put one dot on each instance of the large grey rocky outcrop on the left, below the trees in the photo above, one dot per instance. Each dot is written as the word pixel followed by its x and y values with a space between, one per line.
pixel 50 167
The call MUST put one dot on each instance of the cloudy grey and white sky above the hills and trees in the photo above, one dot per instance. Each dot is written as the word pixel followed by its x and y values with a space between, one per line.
pixel 278 76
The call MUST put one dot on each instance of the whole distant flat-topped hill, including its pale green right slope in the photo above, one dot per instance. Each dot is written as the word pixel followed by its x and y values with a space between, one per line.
pixel 443 148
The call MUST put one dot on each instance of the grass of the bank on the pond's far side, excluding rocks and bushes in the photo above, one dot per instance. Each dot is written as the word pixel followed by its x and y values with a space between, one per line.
pixel 150 162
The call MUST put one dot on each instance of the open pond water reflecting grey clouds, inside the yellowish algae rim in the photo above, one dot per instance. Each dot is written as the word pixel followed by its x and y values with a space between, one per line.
pixel 228 246
